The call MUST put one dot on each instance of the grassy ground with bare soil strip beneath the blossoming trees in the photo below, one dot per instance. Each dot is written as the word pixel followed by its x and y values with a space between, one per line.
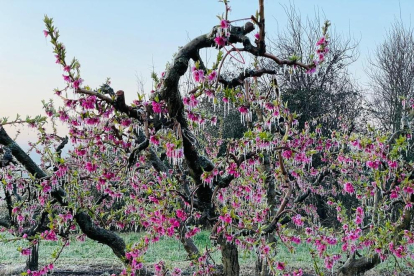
pixel 90 258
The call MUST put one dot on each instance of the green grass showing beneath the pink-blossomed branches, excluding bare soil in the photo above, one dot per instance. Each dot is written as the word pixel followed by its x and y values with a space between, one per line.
pixel 167 249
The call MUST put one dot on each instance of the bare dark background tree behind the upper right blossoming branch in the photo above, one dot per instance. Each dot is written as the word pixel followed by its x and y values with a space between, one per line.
pixel 330 93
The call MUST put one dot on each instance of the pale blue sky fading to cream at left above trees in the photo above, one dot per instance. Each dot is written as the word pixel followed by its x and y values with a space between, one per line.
pixel 125 39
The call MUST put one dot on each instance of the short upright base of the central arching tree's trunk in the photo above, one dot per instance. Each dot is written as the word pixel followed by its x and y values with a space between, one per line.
pixel 230 258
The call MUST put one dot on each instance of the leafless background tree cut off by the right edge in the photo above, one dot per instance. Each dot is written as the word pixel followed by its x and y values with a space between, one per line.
pixel 391 73
